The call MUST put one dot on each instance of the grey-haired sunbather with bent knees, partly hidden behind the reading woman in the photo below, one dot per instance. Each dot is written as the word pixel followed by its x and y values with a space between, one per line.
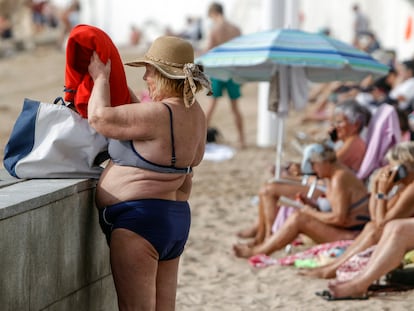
pixel 349 120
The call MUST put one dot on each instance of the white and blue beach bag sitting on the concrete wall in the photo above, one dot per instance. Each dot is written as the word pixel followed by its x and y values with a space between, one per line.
pixel 53 141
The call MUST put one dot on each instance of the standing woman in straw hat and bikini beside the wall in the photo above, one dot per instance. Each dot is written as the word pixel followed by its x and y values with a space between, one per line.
pixel 143 193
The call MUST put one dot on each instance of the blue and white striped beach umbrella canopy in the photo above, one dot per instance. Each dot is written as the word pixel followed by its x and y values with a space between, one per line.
pixel 257 56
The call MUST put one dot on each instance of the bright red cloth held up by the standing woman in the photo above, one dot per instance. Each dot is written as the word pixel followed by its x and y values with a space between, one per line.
pixel 83 40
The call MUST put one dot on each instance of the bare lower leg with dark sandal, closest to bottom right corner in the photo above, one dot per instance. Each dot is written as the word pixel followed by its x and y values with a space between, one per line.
pixel 396 240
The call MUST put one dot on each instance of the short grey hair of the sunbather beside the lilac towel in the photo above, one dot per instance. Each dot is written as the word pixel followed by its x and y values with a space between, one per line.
pixel 354 112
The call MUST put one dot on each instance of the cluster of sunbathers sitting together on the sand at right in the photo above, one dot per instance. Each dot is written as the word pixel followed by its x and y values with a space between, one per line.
pixel 359 185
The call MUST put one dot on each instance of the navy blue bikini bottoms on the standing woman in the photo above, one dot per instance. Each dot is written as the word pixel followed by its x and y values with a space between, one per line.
pixel 163 223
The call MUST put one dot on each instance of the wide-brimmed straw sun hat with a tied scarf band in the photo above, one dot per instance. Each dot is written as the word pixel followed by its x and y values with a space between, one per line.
pixel 173 57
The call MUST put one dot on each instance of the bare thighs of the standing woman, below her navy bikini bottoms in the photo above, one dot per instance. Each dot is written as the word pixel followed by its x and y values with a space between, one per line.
pixel 134 263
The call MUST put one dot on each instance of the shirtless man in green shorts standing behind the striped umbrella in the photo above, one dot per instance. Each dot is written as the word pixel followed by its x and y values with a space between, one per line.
pixel 221 32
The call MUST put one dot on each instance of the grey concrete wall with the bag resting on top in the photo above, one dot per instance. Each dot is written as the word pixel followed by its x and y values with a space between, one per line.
pixel 53 255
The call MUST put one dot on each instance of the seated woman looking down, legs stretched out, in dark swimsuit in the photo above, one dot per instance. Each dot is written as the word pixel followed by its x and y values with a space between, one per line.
pixel 348 198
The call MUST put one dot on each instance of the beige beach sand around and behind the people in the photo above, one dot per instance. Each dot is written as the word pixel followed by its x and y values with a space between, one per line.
pixel 210 277
